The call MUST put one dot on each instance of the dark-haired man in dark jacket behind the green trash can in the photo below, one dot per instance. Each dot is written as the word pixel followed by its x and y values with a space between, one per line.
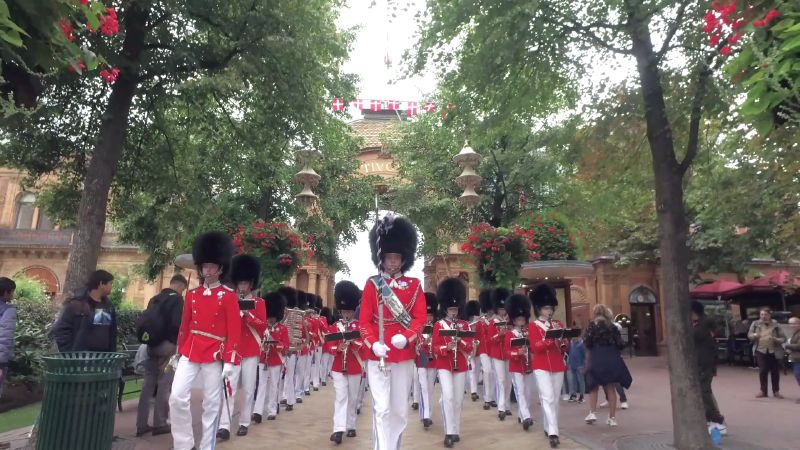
pixel 88 321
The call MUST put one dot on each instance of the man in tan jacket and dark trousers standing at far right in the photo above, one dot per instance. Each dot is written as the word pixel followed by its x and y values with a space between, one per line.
pixel 767 338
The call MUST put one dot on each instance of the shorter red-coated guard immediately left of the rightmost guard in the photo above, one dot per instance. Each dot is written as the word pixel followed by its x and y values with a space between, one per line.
pixel 520 358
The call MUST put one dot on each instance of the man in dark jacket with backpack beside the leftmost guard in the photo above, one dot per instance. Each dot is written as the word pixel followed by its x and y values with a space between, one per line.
pixel 158 328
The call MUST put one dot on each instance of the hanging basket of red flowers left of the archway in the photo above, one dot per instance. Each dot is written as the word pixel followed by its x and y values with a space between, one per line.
pixel 280 249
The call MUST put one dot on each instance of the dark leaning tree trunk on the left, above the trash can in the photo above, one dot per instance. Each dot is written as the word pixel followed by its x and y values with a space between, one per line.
pixel 91 217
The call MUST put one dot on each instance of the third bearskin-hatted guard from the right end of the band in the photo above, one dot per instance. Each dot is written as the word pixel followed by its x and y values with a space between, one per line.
pixel 498 327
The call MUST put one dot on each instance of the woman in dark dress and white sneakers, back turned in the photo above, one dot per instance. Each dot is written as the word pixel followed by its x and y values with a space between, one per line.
pixel 604 365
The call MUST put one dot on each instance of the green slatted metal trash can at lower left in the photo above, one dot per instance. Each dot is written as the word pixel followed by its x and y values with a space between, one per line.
pixel 80 396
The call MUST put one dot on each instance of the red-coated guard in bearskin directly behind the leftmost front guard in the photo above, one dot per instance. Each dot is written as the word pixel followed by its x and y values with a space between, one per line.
pixel 245 275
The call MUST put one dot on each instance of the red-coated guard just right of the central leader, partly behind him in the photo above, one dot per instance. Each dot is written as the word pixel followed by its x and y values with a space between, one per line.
pixel 426 368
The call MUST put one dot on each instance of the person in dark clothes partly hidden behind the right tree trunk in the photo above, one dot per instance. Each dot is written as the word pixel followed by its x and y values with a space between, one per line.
pixel 706 347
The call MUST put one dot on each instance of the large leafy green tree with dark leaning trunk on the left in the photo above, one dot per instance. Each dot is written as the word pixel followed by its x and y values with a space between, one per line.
pixel 265 66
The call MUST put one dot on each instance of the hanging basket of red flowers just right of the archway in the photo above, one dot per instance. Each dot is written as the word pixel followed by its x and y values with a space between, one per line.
pixel 498 253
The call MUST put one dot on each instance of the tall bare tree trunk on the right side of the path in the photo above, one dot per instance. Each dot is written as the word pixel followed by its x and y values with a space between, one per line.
pixel 688 417
